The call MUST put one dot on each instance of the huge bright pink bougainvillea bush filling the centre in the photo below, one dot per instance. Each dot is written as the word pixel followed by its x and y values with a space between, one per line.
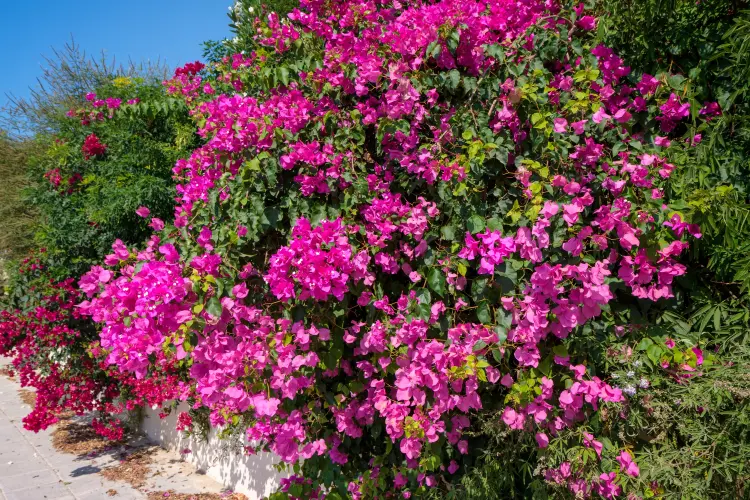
pixel 420 237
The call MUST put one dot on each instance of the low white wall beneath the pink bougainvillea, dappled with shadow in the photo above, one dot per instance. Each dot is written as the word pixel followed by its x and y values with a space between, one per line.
pixel 254 476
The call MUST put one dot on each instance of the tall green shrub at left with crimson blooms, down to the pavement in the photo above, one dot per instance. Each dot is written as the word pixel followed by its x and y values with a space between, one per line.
pixel 109 156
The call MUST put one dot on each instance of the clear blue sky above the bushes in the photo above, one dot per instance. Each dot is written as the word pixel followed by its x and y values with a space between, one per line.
pixel 127 29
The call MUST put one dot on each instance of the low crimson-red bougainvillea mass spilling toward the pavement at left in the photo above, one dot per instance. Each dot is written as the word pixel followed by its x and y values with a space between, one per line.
pixel 53 349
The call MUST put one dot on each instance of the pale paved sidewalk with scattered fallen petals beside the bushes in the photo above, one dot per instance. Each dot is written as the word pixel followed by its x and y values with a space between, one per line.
pixel 31 469
